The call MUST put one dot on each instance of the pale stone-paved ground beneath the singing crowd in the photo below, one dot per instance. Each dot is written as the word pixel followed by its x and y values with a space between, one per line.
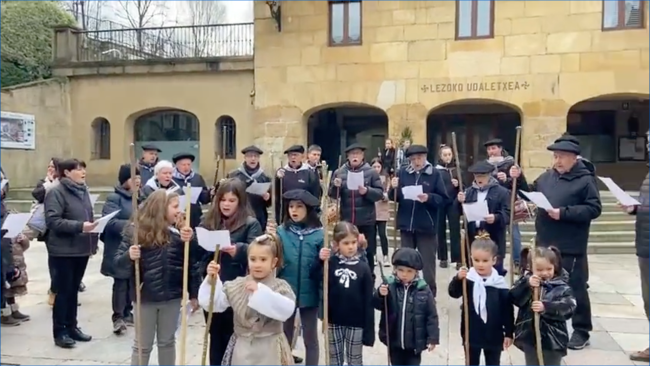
pixel 619 322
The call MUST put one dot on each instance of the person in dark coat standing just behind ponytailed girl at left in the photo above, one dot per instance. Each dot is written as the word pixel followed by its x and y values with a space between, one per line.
pixel 120 200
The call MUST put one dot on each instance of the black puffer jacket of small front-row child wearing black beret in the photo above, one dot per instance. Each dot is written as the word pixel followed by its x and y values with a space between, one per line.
pixel 412 315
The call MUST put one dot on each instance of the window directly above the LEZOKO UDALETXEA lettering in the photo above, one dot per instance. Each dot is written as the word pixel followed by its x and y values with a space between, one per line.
pixel 474 19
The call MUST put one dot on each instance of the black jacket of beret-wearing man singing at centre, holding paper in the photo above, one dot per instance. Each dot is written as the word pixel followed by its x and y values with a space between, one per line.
pixel 357 208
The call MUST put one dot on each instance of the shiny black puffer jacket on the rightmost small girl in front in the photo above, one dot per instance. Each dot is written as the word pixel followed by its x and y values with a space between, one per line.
pixel 559 305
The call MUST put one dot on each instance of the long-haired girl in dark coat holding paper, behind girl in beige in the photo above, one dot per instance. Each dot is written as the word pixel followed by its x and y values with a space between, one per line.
pixel 231 212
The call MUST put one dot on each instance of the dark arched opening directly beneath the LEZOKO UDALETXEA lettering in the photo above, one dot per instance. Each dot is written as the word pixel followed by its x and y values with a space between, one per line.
pixel 474 121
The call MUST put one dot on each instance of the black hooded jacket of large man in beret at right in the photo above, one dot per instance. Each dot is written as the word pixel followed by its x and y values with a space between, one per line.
pixel 576 194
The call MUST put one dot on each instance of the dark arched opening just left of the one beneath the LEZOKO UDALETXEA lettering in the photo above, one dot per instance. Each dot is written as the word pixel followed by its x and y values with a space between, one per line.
pixel 334 128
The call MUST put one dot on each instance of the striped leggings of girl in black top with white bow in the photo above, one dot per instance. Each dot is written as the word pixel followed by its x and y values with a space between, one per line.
pixel 346 344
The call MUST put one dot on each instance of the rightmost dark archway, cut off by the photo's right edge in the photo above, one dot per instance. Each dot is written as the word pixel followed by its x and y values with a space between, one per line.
pixel 612 133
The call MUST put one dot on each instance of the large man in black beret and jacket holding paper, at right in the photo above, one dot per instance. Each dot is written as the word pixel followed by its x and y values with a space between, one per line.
pixel 571 189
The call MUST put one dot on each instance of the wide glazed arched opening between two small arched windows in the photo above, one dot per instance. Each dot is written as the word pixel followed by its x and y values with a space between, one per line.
pixel 172 131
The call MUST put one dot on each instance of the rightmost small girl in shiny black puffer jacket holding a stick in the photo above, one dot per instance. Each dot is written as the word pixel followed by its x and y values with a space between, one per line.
pixel 556 305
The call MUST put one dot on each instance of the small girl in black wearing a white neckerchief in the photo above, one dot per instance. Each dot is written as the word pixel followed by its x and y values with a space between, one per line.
pixel 490 312
